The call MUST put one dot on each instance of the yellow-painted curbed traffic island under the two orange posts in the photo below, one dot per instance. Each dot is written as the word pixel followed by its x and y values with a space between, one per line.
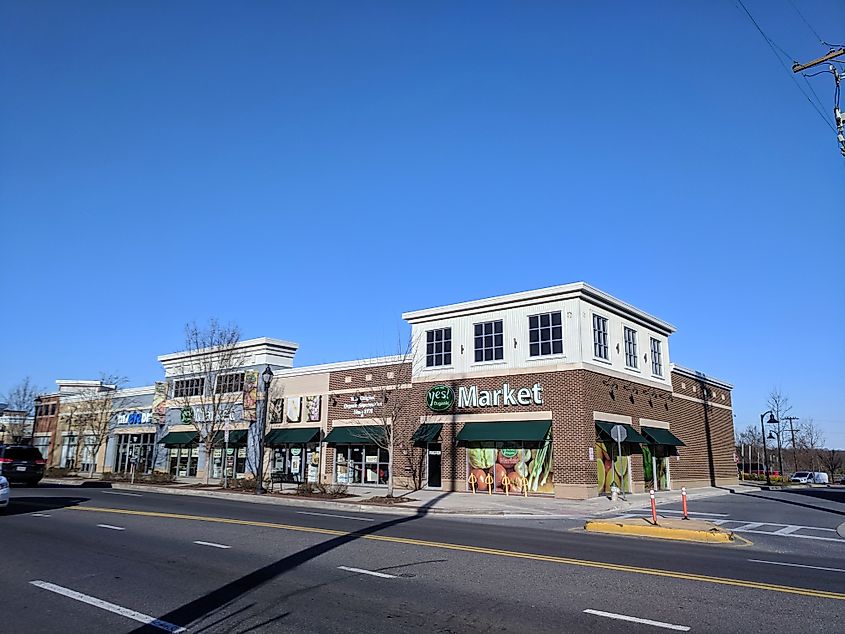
pixel 666 528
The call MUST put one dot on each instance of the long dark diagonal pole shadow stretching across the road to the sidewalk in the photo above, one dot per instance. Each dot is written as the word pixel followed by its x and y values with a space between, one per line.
pixel 225 595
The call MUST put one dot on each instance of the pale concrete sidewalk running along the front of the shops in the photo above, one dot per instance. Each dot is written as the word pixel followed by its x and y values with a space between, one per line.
pixel 425 501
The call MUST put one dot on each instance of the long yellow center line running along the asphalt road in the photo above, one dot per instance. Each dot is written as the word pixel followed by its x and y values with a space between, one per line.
pixel 586 563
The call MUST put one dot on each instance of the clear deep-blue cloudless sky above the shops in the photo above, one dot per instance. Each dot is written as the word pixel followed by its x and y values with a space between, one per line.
pixel 311 170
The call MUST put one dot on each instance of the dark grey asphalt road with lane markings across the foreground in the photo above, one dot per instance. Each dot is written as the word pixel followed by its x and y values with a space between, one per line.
pixel 103 560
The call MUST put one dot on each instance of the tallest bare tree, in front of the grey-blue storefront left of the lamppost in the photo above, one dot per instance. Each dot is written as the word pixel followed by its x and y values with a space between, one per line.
pixel 212 356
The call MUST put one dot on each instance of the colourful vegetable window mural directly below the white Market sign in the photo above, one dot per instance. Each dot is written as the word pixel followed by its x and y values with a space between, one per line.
pixel 515 460
